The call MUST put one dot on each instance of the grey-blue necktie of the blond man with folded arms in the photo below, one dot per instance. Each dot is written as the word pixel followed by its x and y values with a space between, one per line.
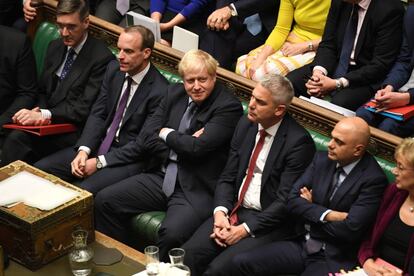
pixel 170 177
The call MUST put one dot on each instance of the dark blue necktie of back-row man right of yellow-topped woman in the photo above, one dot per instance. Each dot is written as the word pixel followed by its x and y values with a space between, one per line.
pixel 347 44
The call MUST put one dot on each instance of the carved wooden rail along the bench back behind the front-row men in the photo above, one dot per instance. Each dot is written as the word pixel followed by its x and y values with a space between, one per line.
pixel 307 114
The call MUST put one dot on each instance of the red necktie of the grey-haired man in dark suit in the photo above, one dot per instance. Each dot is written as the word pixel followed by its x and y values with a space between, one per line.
pixel 252 164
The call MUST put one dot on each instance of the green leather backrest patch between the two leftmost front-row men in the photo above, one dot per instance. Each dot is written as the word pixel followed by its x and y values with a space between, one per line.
pixel 45 33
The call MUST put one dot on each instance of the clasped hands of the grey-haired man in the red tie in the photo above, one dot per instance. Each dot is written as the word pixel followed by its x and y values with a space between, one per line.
pixel 225 234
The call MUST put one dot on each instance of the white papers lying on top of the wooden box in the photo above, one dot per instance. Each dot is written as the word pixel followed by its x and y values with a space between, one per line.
pixel 34 191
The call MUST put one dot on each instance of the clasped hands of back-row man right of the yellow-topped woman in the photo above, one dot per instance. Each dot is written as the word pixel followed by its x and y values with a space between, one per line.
pixel 319 85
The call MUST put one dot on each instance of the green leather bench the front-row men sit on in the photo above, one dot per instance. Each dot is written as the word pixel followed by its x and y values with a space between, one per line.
pixel 144 227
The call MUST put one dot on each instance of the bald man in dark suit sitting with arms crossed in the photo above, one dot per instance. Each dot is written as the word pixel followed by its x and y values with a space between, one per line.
pixel 334 202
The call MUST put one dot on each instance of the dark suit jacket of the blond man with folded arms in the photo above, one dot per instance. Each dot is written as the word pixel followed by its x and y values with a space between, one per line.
pixel 200 160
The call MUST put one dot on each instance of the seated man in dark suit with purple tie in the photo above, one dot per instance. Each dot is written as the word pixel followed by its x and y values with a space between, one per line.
pixel 148 86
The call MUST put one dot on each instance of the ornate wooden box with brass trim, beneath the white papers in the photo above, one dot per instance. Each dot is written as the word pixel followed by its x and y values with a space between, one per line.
pixel 33 237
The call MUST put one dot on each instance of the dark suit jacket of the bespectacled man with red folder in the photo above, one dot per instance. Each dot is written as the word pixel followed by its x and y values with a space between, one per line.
pixel 70 101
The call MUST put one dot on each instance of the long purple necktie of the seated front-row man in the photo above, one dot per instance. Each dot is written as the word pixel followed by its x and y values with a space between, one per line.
pixel 110 135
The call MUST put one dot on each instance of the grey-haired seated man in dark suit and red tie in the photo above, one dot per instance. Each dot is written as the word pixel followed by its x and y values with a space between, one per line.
pixel 250 197
